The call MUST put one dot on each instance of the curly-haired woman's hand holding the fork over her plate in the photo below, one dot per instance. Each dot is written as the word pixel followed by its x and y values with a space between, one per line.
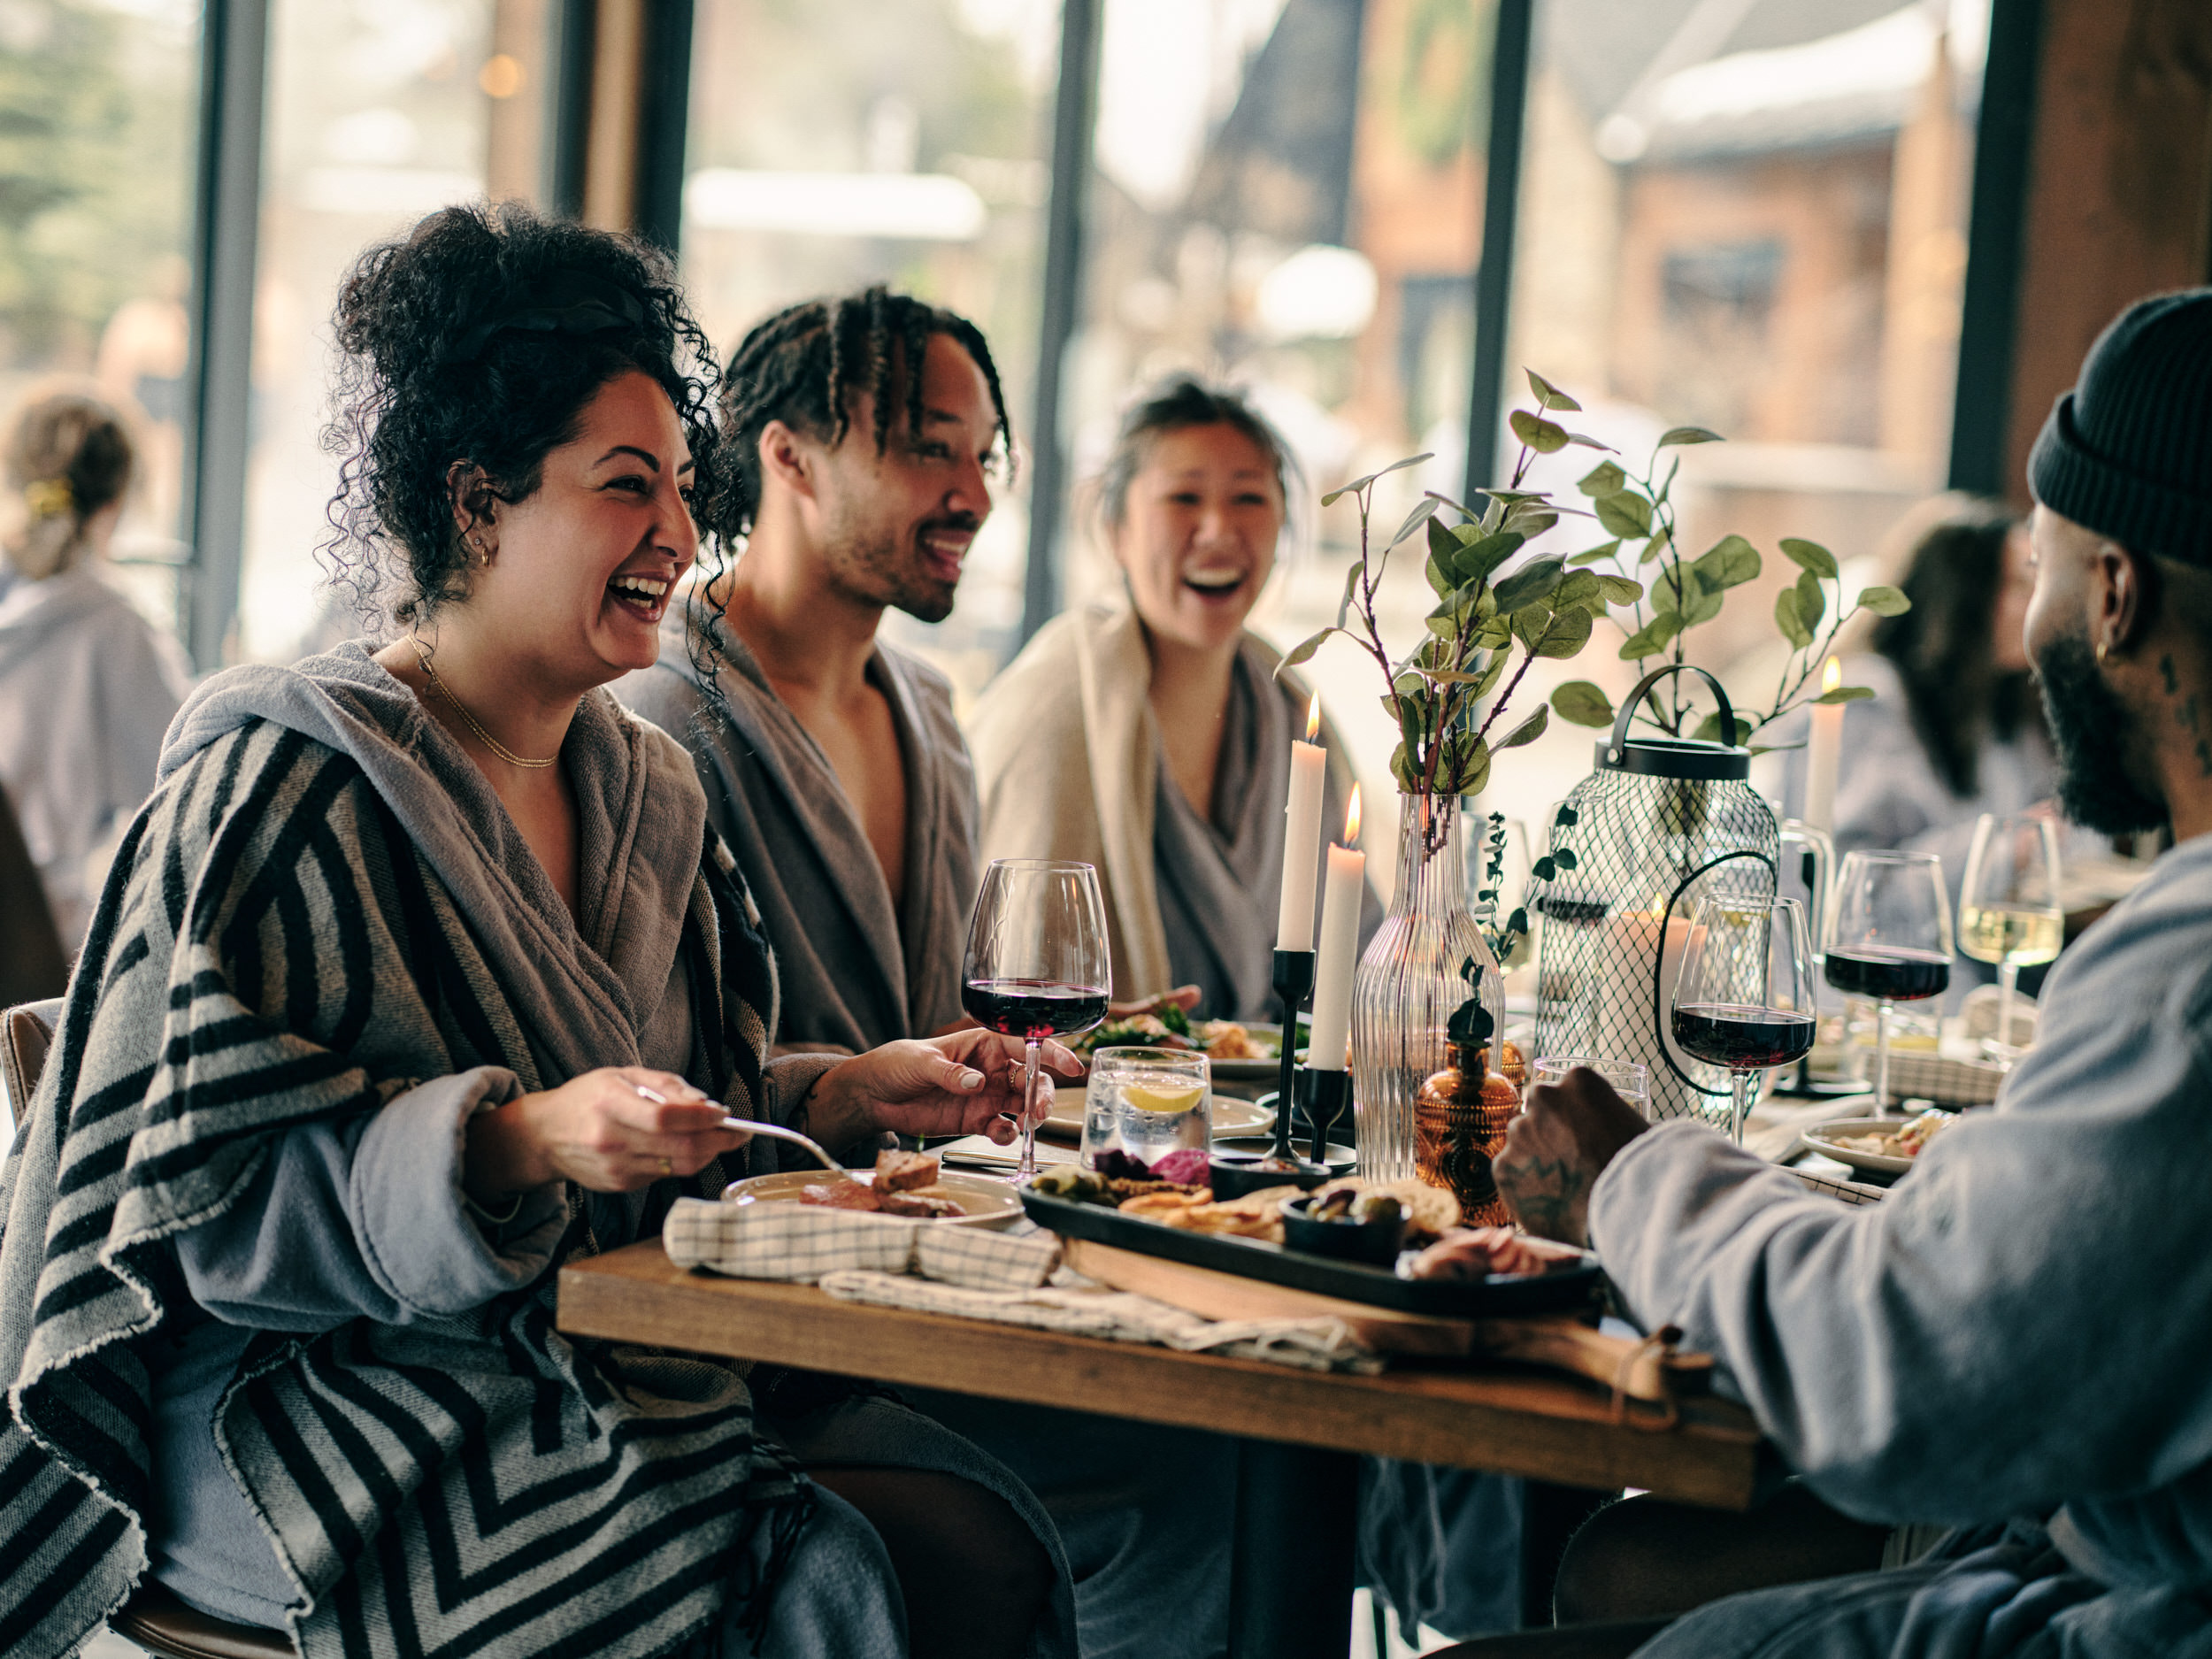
pixel 614 1131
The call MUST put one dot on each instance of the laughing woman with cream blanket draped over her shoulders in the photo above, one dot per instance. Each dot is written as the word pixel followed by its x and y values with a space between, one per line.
pixel 1151 735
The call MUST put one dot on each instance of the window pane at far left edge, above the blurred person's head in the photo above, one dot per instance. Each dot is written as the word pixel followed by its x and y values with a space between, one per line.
pixel 96 216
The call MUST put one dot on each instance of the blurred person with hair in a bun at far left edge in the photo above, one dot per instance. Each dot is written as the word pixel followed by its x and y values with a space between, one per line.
pixel 87 685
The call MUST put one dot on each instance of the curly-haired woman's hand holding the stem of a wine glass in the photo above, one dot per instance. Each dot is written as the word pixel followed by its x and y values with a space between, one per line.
pixel 966 1083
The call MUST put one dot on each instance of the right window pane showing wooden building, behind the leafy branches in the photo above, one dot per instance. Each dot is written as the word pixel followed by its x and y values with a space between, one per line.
pixel 1749 218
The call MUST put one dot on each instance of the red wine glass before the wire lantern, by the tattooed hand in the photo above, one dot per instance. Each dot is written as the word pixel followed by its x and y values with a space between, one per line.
pixel 1746 992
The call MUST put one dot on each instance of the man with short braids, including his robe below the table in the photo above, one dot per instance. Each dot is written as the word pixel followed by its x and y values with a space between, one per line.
pixel 842 782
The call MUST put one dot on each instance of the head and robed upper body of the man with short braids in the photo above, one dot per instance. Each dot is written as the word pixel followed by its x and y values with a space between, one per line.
pixel 837 771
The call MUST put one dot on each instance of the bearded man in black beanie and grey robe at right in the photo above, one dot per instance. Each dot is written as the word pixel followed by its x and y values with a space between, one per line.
pixel 2014 1342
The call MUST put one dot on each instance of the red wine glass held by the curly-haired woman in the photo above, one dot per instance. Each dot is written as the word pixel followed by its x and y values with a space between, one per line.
pixel 1036 963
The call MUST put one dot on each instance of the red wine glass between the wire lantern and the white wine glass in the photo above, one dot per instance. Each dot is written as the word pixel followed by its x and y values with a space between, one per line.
pixel 1890 941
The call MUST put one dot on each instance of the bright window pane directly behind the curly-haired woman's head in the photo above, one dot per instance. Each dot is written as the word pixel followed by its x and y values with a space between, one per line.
pixel 379 112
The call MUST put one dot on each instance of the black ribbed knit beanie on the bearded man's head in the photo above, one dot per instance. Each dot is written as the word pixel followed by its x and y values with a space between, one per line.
pixel 2129 452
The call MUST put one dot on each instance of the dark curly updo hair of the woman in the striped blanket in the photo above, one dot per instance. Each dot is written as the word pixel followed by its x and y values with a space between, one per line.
pixel 477 342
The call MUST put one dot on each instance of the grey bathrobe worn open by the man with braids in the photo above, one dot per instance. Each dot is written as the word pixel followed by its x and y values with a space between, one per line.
pixel 857 968
